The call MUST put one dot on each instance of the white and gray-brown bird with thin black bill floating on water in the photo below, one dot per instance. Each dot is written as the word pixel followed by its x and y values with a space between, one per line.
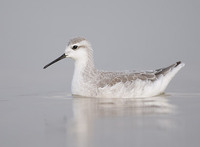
pixel 88 81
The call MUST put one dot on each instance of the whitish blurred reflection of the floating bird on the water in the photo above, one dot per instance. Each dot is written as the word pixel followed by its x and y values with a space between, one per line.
pixel 87 112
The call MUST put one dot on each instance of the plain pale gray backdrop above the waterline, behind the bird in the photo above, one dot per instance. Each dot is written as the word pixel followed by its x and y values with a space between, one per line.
pixel 124 34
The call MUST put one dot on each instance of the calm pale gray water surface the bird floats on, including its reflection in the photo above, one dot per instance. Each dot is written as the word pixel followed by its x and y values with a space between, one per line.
pixel 55 119
